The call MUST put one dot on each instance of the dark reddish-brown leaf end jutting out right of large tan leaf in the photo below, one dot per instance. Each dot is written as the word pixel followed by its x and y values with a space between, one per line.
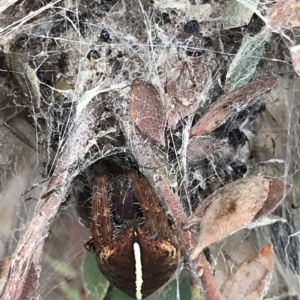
pixel 277 191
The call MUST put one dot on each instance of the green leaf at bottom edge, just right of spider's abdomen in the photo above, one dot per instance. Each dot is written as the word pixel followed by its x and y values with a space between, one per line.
pixel 182 288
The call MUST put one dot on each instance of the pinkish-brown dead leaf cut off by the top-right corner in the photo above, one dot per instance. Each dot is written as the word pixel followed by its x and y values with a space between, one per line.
pixel 284 14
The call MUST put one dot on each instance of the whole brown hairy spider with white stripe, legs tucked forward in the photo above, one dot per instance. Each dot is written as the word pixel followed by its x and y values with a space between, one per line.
pixel 131 236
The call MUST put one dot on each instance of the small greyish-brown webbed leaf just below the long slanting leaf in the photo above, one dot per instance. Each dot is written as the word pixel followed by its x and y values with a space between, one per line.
pixel 201 146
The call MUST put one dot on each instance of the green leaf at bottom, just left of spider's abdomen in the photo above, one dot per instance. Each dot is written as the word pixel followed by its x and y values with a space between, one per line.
pixel 94 282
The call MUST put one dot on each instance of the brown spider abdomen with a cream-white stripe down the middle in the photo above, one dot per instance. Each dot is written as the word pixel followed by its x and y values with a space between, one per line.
pixel 138 273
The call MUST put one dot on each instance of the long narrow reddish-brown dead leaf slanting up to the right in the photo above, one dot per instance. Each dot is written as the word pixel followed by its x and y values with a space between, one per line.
pixel 236 100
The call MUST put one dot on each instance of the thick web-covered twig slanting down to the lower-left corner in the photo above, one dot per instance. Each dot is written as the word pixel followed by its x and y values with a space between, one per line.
pixel 74 151
